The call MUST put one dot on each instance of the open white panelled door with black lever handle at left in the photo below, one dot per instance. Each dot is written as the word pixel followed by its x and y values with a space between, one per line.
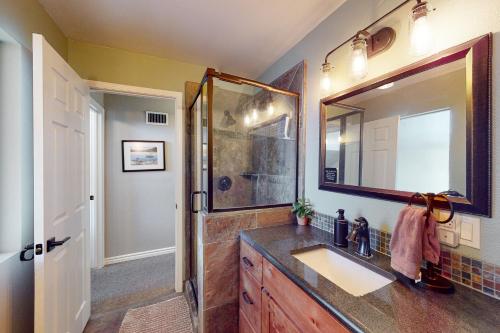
pixel 61 194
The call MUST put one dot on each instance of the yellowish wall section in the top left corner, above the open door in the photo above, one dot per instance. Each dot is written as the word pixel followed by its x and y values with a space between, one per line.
pixel 20 18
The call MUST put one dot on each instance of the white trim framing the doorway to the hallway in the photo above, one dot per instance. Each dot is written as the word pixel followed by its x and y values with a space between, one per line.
pixel 177 97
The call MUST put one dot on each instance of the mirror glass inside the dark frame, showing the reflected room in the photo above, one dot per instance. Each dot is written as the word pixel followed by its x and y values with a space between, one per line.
pixel 408 135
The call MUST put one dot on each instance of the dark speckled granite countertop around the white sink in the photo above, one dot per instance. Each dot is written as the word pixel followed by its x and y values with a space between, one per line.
pixel 397 307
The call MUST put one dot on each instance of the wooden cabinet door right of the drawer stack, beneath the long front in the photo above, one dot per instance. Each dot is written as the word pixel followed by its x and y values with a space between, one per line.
pixel 274 319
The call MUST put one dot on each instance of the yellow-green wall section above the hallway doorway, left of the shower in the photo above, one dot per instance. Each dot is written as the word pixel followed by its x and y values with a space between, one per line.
pixel 100 63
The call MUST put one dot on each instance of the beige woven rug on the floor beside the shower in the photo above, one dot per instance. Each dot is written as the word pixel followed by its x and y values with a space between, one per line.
pixel 171 316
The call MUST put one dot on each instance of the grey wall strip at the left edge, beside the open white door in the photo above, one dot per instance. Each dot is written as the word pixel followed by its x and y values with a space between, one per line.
pixel 16 185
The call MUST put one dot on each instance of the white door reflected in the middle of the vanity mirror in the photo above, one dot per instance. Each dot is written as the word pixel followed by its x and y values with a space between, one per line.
pixel 380 146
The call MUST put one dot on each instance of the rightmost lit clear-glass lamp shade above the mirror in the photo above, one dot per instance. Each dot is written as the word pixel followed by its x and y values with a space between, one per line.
pixel 421 37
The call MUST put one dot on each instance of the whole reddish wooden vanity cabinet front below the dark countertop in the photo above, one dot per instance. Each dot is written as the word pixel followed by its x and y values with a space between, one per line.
pixel 269 300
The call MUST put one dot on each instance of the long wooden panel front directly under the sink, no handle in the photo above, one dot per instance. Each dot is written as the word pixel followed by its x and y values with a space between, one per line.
pixel 308 315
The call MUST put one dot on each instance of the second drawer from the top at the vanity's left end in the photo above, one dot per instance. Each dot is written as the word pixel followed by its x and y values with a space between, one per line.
pixel 250 299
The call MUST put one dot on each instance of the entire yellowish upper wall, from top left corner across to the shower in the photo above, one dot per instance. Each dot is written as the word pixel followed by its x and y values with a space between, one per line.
pixel 20 18
